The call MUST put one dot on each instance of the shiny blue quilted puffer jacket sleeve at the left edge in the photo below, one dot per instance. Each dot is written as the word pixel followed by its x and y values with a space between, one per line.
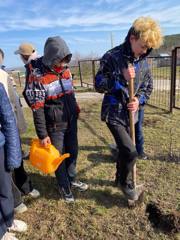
pixel 10 131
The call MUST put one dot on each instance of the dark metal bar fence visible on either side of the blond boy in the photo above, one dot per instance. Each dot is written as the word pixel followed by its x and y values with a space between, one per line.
pixel 166 77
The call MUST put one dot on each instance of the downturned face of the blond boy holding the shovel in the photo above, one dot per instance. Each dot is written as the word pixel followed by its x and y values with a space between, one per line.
pixel 138 46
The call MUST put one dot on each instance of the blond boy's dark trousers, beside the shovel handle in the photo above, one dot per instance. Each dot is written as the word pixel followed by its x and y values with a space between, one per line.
pixel 127 152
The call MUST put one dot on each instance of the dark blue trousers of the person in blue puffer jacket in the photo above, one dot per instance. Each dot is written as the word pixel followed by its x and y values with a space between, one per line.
pixel 6 197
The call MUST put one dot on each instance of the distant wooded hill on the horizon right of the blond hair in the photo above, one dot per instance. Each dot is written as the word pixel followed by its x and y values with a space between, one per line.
pixel 170 41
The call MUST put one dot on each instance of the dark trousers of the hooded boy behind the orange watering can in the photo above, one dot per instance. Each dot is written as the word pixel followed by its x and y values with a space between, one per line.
pixel 66 142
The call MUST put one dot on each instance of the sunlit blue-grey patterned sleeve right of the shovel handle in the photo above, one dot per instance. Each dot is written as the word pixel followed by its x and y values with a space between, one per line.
pixel 145 88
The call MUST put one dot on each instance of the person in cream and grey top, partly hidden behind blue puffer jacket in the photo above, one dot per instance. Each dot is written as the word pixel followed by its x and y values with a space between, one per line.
pixel 22 184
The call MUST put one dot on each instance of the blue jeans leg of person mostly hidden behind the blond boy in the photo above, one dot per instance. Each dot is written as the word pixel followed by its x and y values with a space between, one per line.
pixel 139 132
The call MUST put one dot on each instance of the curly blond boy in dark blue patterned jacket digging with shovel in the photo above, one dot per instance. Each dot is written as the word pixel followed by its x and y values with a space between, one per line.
pixel 117 67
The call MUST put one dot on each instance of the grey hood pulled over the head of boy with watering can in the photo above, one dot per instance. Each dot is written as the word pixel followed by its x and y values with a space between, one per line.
pixel 55 48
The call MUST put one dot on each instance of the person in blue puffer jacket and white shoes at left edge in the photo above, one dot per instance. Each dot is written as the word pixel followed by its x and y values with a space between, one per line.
pixel 10 158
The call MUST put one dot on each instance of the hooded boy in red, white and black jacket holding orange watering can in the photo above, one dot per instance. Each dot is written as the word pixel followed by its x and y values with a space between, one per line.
pixel 55 110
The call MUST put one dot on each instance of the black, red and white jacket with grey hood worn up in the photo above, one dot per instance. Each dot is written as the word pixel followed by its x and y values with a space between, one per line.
pixel 50 94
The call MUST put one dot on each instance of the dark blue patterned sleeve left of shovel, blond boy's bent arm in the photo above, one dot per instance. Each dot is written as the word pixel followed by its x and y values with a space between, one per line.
pixel 109 78
